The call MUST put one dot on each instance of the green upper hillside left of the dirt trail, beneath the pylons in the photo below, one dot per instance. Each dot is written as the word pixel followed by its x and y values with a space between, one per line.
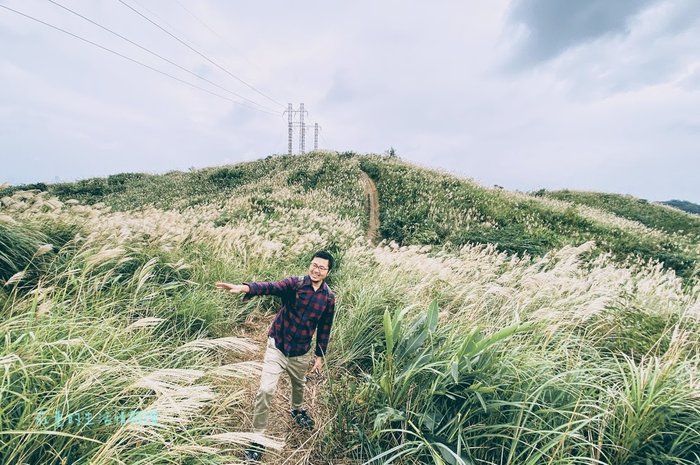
pixel 334 174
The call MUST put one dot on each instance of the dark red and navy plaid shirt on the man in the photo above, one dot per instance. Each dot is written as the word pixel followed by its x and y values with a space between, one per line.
pixel 303 311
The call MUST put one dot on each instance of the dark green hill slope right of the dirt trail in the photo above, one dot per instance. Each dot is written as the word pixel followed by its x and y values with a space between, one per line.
pixel 420 206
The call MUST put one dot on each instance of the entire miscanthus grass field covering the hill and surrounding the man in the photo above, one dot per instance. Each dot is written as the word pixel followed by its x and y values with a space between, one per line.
pixel 488 327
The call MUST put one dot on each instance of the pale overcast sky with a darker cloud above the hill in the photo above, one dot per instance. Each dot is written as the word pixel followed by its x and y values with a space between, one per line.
pixel 594 95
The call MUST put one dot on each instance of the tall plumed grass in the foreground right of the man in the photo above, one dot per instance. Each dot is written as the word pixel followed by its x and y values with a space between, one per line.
pixel 522 362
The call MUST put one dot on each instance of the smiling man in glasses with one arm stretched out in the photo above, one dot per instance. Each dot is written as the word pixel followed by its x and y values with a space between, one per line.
pixel 307 304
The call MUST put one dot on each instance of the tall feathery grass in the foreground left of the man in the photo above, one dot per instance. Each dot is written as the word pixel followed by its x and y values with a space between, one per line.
pixel 111 328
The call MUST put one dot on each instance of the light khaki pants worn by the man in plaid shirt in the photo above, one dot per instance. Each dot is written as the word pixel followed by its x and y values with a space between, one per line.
pixel 274 364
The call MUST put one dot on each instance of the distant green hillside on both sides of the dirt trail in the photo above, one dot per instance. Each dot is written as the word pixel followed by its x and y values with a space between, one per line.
pixel 419 206
